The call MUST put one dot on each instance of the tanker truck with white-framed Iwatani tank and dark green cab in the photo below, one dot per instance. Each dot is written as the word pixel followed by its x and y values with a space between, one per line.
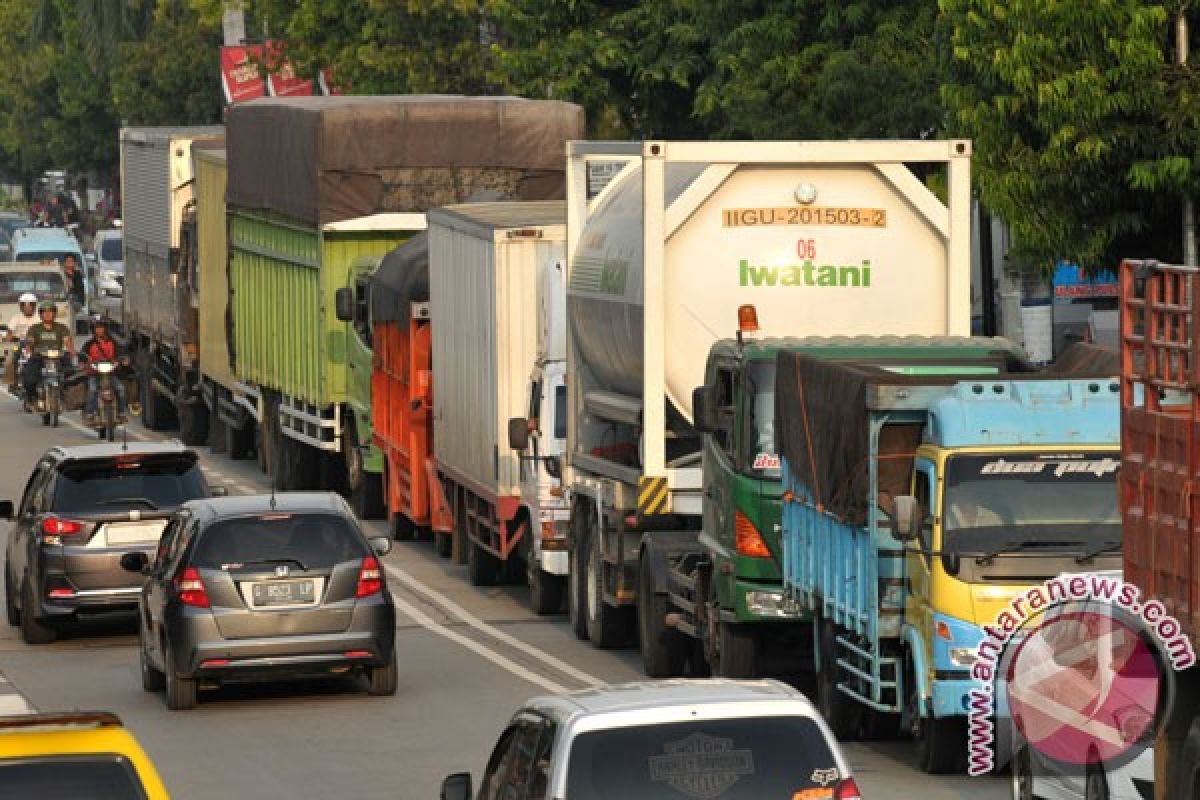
pixel 687 242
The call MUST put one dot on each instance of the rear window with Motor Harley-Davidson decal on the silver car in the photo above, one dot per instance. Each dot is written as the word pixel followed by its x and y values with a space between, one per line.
pixel 749 759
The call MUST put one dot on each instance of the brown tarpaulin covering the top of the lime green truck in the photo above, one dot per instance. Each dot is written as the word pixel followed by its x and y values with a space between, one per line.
pixel 321 160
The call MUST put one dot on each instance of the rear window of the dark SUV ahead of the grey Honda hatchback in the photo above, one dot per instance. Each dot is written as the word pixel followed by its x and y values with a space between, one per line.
pixel 121 486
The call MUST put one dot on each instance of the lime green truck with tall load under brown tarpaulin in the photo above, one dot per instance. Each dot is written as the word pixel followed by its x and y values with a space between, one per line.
pixel 319 190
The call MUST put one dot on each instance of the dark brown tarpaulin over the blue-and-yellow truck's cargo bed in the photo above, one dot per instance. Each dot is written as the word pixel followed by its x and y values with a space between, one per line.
pixel 823 426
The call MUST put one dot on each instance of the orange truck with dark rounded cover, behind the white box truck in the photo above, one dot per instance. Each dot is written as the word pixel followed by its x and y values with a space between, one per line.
pixel 403 395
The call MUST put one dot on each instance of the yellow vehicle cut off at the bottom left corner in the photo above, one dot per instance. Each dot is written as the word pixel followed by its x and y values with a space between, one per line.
pixel 75 756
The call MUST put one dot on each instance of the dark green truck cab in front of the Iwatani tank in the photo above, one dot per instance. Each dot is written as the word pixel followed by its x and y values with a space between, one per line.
pixel 719 592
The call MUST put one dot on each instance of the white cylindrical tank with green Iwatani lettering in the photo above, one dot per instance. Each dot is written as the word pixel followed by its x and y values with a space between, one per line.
pixel 867 263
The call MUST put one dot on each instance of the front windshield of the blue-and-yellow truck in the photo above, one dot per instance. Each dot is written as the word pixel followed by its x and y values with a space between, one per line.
pixel 1033 501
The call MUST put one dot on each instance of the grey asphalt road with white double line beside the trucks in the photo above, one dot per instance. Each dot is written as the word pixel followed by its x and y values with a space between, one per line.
pixel 467 659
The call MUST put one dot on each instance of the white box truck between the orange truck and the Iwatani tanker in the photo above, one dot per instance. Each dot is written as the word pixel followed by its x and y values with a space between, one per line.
pixel 489 266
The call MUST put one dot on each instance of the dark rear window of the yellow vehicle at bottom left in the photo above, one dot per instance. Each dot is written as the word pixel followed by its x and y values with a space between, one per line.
pixel 104 778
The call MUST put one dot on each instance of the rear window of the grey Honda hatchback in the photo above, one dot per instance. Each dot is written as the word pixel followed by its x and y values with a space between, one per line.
pixel 317 542
